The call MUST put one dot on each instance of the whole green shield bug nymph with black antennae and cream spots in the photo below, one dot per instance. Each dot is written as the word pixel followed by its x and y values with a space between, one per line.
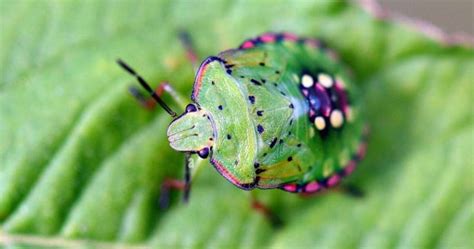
pixel 277 112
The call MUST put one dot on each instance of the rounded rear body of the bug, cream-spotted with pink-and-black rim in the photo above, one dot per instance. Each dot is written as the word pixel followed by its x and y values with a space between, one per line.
pixel 304 108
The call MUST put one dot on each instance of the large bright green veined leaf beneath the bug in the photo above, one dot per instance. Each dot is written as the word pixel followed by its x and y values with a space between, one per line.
pixel 81 163
